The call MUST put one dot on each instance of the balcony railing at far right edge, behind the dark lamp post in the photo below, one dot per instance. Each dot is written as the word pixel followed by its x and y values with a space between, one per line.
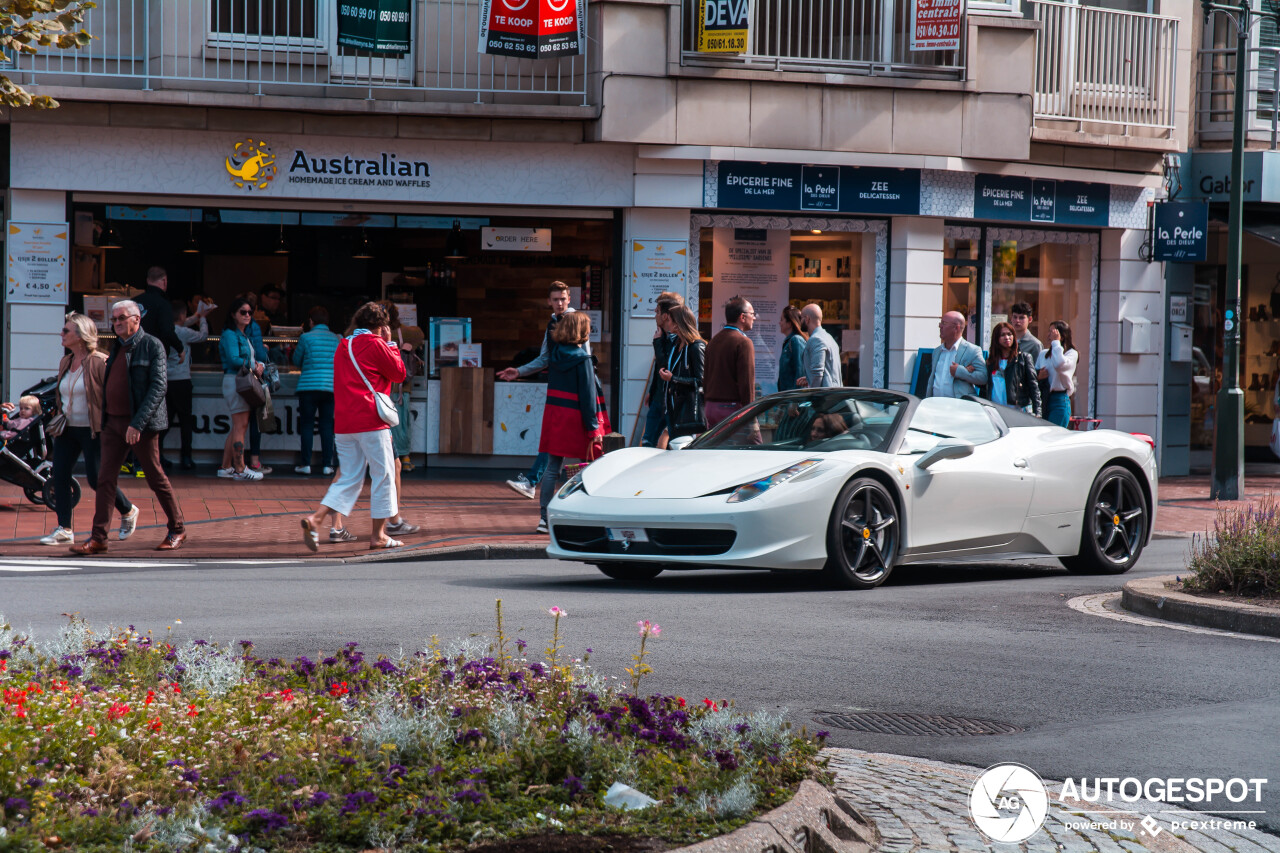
pixel 1215 88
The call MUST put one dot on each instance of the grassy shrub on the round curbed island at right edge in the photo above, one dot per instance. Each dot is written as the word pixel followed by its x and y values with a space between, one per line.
pixel 1242 555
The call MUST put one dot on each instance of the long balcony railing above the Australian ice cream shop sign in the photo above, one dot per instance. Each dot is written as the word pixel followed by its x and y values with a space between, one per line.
pixel 291 48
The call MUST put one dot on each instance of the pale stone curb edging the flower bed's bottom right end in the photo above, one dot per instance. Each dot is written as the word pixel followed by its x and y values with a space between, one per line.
pixel 815 820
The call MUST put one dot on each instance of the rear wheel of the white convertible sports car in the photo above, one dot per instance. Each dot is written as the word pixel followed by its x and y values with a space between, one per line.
pixel 1116 526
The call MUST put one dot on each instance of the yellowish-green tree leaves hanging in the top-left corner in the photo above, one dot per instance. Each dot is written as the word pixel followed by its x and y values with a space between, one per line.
pixel 26 26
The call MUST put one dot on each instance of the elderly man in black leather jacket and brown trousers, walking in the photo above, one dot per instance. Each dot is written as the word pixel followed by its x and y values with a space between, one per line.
pixel 134 417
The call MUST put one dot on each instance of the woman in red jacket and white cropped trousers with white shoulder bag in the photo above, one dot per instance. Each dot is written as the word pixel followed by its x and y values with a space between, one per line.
pixel 365 363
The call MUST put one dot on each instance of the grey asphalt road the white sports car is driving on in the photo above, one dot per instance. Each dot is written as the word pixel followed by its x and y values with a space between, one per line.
pixel 1094 697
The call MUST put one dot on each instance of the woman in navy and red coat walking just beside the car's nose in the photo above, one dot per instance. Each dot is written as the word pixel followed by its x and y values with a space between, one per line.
pixel 574 421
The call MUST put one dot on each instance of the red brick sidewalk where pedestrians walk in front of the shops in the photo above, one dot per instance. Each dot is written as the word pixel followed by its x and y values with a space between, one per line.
pixel 260 521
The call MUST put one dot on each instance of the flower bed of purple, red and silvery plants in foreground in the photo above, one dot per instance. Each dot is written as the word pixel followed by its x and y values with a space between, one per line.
pixel 120 741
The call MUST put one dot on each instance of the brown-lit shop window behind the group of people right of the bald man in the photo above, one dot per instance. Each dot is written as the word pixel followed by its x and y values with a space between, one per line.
pixel 1057 280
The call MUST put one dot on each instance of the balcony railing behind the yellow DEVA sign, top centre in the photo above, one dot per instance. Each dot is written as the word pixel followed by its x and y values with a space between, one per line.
pixel 829 37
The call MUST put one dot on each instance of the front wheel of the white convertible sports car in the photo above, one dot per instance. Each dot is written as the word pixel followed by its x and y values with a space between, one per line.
pixel 863 536
